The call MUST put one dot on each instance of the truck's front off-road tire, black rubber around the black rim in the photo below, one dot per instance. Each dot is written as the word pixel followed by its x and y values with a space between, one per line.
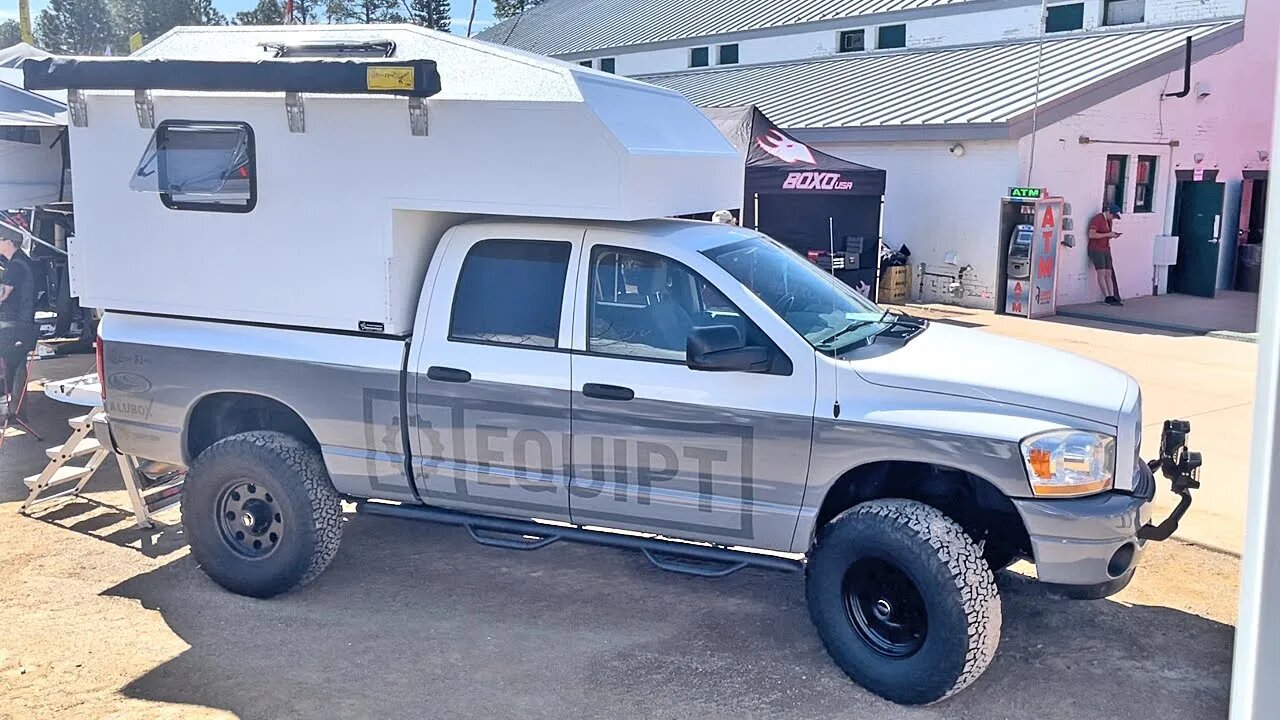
pixel 954 582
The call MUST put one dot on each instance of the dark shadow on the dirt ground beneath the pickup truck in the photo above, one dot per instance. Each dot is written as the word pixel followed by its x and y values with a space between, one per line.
pixel 414 621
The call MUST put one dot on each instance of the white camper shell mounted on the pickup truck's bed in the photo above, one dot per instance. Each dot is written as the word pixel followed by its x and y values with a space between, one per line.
pixel 328 206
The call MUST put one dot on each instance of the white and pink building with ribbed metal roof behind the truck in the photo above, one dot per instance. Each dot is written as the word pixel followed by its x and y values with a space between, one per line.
pixel 959 101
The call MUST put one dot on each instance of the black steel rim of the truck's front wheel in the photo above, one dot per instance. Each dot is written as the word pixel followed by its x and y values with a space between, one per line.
pixel 885 608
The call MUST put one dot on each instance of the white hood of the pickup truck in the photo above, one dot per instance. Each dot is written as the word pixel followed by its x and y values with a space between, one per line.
pixel 950 361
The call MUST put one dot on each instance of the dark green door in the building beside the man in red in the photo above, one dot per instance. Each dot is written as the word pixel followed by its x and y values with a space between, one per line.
pixel 1197 226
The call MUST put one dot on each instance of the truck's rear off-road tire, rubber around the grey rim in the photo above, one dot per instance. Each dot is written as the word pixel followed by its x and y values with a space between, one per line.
pixel 296 479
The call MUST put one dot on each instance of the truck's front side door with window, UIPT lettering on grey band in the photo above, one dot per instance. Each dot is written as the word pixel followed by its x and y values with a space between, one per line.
pixel 719 457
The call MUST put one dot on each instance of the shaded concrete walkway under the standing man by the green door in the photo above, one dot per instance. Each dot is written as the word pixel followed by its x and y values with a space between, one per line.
pixel 1229 316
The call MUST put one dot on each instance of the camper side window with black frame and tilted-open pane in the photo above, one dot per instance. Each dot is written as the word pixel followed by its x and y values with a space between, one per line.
pixel 200 166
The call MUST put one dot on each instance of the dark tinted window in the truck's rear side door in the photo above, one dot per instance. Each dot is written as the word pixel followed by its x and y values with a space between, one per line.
pixel 510 293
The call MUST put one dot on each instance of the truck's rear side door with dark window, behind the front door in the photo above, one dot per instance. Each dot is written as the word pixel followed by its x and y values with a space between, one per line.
pixel 491 394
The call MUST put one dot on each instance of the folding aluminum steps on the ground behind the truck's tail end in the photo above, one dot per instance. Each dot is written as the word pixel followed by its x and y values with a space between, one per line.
pixel 147 495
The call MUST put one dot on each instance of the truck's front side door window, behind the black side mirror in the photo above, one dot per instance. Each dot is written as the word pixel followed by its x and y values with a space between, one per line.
pixel 644 306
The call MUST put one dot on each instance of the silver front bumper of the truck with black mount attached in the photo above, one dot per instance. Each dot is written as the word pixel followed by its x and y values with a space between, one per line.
pixel 1095 544
